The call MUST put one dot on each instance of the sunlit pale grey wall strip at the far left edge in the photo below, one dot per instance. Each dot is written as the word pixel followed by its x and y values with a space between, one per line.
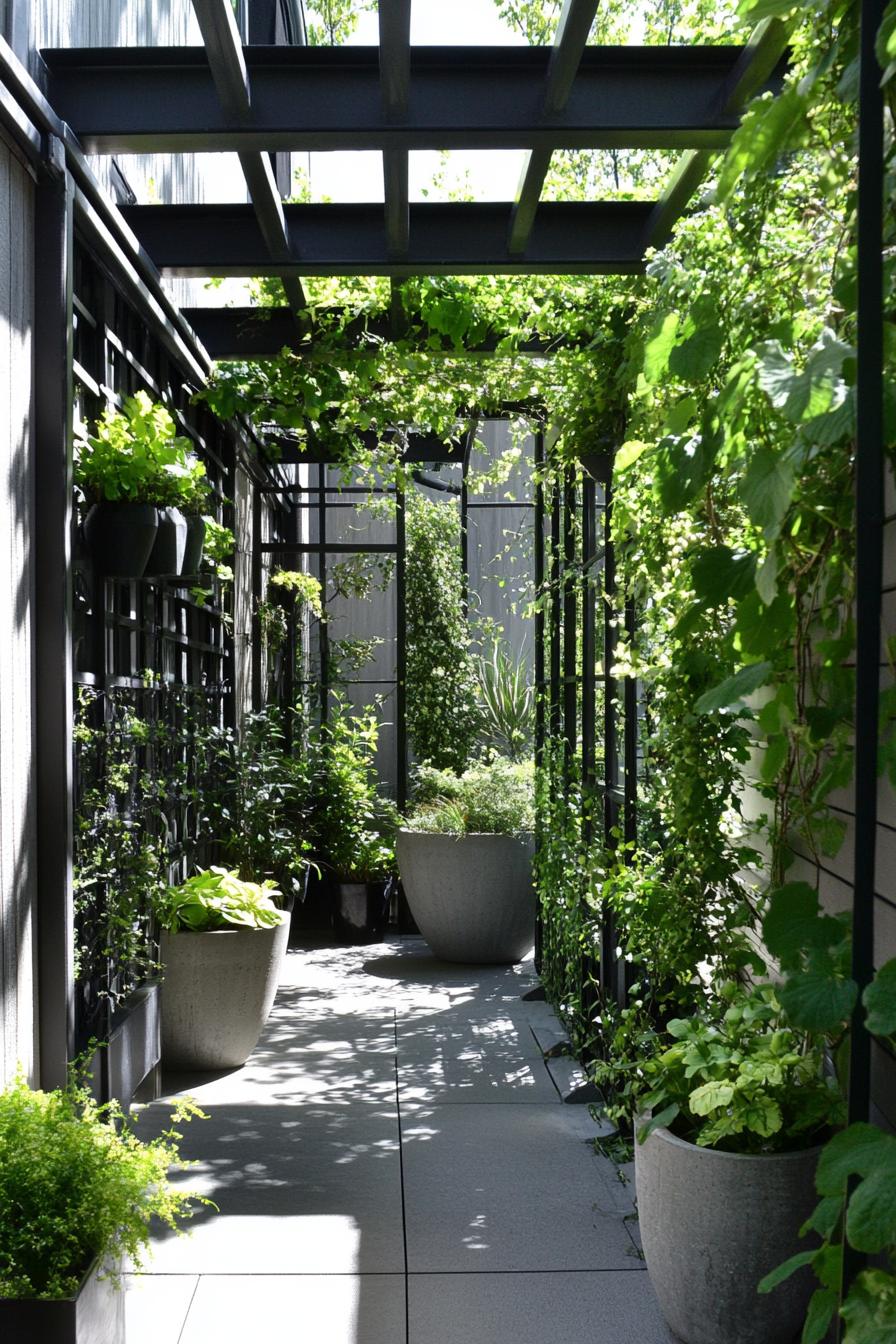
pixel 17 591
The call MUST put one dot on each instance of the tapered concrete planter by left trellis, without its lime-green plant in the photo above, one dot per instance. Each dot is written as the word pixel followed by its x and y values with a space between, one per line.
pixel 217 994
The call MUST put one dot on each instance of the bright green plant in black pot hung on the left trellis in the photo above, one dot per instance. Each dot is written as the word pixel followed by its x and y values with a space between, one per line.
pixel 130 471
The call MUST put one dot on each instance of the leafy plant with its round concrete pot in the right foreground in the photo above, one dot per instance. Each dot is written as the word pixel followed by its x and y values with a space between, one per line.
pixel 740 1108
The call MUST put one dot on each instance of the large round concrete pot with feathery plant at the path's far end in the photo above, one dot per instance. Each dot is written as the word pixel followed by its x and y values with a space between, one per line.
pixel 465 859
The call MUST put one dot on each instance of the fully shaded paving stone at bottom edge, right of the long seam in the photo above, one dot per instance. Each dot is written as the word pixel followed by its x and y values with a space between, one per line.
pixel 608 1308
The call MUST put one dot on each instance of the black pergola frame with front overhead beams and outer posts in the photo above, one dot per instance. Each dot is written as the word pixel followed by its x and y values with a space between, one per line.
pixel 394 99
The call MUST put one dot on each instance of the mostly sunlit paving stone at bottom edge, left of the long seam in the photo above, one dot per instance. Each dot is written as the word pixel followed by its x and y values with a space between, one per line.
pixel 300 1308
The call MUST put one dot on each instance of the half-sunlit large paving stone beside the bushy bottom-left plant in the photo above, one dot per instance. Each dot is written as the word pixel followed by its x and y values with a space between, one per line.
pixel 312 1190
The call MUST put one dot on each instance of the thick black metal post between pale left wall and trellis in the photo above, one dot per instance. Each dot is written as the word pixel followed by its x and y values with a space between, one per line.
pixel 54 706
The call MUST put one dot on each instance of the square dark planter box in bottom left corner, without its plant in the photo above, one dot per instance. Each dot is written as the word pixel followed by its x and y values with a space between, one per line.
pixel 95 1316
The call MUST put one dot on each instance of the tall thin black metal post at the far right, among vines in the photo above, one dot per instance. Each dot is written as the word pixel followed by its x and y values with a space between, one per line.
pixel 870 530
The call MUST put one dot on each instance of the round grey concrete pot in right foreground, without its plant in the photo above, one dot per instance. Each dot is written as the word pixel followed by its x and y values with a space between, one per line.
pixel 713 1225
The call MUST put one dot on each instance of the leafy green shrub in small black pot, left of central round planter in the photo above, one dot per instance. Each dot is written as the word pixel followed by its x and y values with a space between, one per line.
pixel 353 826
